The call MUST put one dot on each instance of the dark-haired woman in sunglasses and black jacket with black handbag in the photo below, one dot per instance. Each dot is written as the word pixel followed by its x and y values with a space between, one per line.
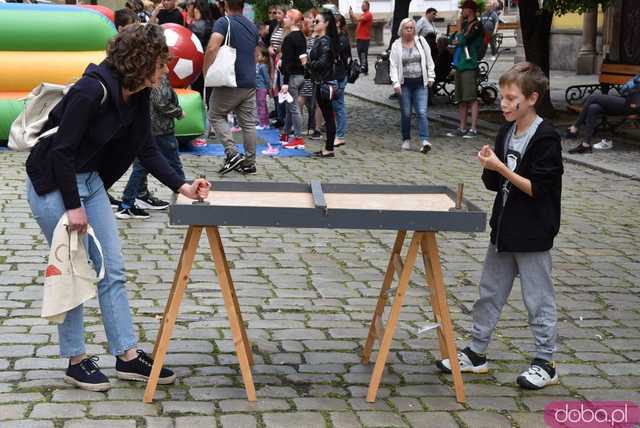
pixel 321 69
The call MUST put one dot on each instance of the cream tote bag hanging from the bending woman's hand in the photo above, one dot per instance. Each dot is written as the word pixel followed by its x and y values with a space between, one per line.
pixel 70 280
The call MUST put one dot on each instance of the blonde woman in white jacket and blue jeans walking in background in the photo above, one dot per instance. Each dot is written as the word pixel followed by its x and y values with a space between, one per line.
pixel 412 71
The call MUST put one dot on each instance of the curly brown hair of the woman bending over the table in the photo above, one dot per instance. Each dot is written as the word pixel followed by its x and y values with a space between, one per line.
pixel 135 53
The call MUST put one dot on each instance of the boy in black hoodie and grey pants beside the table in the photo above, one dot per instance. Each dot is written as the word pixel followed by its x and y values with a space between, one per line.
pixel 525 170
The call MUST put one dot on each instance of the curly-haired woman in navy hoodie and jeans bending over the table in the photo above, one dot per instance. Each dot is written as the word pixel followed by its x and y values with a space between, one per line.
pixel 104 124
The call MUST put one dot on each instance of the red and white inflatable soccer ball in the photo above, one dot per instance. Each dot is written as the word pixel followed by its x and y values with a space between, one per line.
pixel 187 55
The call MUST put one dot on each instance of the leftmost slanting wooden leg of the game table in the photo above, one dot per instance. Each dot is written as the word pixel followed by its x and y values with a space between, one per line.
pixel 173 306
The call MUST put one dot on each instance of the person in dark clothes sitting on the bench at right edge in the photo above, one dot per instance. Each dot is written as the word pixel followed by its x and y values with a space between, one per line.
pixel 597 105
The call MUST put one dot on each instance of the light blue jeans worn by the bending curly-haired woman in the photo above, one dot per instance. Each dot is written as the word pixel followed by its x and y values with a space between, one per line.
pixel 112 293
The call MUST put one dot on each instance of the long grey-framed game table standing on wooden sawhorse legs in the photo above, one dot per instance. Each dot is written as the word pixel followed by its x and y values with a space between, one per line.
pixel 422 242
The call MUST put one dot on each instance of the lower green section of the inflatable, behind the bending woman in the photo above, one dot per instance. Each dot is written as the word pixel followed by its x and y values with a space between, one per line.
pixel 191 125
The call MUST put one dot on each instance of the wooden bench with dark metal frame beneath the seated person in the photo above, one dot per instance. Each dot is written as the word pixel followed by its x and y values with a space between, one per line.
pixel 612 76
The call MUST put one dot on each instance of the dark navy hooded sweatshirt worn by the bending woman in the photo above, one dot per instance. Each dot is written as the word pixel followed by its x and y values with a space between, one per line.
pixel 105 138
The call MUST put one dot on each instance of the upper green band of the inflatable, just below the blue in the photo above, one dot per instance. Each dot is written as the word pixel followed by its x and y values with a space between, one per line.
pixel 70 30
